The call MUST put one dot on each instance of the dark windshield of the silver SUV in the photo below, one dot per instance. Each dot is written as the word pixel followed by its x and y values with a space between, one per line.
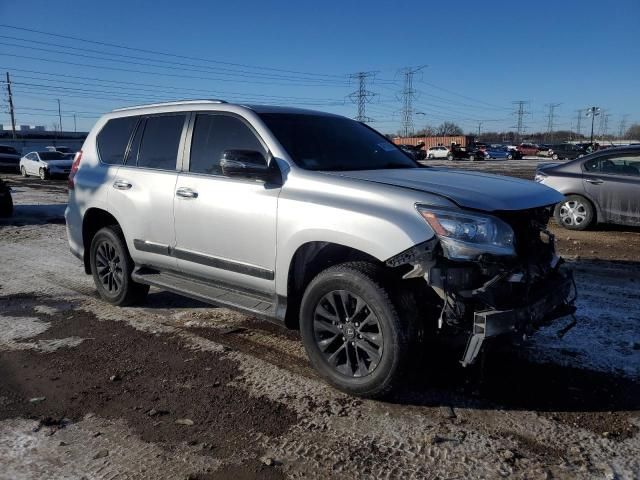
pixel 319 142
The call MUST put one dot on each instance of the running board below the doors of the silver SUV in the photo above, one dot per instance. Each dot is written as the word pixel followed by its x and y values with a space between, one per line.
pixel 204 291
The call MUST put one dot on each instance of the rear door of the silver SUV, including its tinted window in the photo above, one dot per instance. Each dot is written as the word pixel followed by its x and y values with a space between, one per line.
pixel 143 189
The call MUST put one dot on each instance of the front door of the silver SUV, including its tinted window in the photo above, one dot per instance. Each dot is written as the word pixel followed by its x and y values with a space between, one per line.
pixel 225 227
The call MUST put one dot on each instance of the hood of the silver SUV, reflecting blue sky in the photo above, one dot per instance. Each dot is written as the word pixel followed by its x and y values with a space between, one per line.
pixel 479 191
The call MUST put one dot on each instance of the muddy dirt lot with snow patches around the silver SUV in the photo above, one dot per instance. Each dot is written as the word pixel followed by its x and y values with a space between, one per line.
pixel 178 389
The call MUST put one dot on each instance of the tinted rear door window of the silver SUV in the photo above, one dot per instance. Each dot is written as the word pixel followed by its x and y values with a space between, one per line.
pixel 160 142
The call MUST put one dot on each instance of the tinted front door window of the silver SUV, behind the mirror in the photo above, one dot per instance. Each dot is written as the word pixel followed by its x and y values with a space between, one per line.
pixel 214 134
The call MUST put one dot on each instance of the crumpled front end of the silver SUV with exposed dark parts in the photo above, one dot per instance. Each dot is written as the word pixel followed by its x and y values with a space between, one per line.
pixel 496 295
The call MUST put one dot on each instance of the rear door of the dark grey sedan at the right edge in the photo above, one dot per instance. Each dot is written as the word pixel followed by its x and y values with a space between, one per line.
pixel 614 183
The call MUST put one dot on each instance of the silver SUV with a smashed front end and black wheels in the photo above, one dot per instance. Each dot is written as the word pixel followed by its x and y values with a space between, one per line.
pixel 316 221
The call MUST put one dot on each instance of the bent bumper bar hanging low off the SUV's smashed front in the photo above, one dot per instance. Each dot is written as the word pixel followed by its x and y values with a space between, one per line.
pixel 554 303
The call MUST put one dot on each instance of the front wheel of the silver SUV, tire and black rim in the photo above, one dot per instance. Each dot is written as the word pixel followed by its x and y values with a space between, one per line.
pixel 352 332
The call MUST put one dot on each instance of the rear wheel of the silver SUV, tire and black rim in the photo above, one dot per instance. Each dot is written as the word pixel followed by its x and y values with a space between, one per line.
pixel 112 266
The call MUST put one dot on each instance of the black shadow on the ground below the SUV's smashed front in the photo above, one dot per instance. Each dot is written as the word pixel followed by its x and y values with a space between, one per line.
pixel 505 379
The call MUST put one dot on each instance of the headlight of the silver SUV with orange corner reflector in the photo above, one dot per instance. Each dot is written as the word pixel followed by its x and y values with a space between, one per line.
pixel 466 236
